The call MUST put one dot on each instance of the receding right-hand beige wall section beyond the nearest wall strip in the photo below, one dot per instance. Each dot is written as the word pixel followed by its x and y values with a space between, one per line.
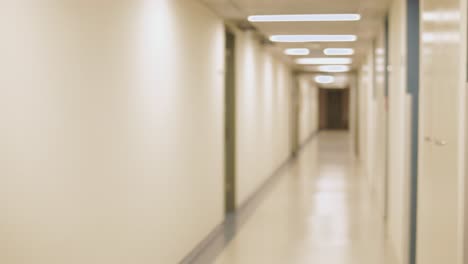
pixel 372 109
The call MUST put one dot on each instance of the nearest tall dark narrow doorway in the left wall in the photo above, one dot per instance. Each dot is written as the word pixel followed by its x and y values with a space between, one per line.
pixel 230 124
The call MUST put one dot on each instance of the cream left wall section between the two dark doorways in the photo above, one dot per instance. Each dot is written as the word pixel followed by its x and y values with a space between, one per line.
pixel 263 122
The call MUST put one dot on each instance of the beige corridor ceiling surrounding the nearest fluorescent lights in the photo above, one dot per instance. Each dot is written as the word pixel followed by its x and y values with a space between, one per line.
pixel 372 16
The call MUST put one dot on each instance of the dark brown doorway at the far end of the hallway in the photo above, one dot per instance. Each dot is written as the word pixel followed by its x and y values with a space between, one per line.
pixel 334 109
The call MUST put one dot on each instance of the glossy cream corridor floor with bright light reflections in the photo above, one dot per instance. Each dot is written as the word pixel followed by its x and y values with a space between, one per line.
pixel 320 212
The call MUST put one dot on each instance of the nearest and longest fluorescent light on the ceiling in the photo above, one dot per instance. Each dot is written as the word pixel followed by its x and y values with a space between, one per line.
pixel 305 18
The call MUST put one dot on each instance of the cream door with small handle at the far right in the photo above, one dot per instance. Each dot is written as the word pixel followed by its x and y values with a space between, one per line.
pixel 443 69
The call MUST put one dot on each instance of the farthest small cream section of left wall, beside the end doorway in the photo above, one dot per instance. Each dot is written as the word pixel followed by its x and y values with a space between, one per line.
pixel 309 108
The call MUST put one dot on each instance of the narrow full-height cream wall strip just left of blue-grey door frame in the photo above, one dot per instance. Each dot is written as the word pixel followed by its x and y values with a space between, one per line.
pixel 398 174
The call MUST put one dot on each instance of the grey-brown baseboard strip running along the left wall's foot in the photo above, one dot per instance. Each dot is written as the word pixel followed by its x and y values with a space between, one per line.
pixel 212 245
